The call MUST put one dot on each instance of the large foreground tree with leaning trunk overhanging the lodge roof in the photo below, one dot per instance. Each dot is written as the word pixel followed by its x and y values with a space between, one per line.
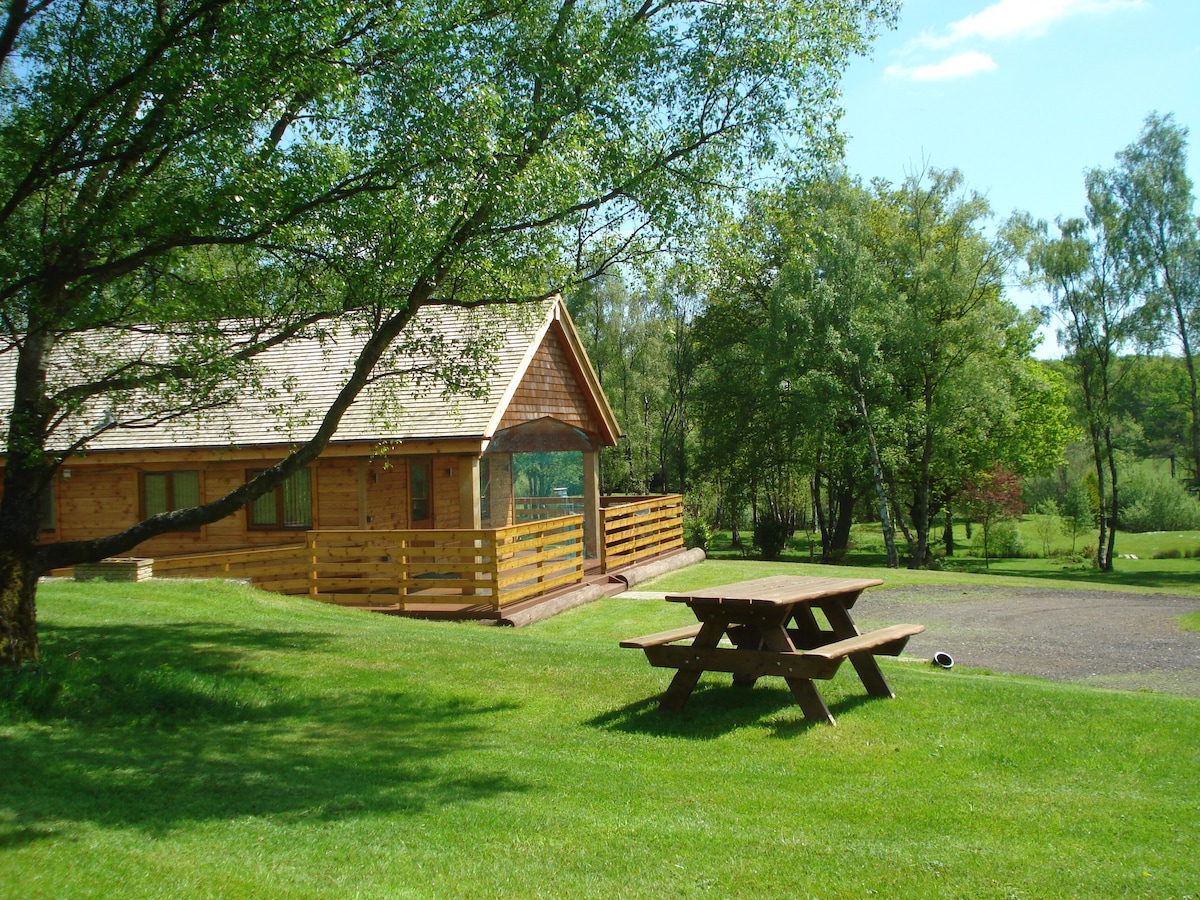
pixel 171 167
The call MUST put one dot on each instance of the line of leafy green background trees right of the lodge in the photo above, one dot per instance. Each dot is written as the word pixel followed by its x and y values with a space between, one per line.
pixel 847 352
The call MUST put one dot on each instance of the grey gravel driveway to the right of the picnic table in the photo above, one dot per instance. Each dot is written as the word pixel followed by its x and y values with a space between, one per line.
pixel 1105 639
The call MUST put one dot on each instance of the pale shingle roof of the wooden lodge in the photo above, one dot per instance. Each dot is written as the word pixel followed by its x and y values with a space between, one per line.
pixel 301 380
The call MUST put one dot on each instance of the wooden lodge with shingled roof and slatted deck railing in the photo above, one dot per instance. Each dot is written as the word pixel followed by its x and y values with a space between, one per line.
pixel 416 506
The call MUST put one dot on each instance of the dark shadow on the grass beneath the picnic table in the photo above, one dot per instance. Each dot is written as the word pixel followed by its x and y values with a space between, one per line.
pixel 717 710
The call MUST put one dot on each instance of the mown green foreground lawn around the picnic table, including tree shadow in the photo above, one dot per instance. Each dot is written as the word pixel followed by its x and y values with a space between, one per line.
pixel 209 741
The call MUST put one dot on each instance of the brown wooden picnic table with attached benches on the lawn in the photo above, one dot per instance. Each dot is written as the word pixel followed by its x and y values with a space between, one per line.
pixel 772 631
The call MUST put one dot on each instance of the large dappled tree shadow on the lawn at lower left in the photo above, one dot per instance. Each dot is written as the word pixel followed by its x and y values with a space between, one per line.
pixel 158 727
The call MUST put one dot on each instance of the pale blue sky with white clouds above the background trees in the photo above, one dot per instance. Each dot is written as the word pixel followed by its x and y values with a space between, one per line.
pixel 1022 95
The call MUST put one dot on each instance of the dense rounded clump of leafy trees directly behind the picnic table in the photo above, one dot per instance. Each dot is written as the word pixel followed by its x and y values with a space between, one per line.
pixel 831 307
